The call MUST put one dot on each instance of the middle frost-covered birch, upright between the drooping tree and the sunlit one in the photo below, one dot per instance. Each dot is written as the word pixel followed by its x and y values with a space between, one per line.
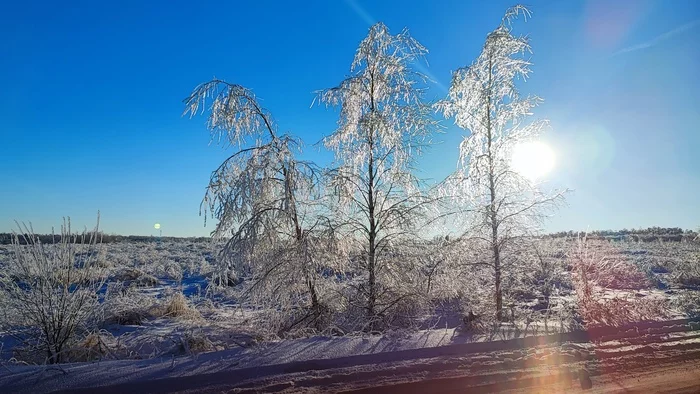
pixel 382 127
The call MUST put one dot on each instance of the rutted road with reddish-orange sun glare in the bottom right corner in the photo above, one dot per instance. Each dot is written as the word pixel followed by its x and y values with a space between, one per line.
pixel 660 357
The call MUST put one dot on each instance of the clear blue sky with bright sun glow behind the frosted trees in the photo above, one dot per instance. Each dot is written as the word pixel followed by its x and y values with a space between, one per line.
pixel 91 103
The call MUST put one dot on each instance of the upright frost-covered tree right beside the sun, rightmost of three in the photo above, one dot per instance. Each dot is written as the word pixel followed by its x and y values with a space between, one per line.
pixel 484 99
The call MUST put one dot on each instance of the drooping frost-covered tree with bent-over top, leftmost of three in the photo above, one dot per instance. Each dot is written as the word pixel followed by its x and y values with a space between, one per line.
pixel 266 201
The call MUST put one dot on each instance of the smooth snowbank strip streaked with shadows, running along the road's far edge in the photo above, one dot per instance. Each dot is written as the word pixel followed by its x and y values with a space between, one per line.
pixel 37 379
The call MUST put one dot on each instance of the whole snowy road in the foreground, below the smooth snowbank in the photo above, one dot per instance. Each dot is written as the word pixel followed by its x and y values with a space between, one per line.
pixel 646 358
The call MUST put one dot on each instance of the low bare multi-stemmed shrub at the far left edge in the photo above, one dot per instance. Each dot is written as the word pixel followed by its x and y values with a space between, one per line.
pixel 51 291
